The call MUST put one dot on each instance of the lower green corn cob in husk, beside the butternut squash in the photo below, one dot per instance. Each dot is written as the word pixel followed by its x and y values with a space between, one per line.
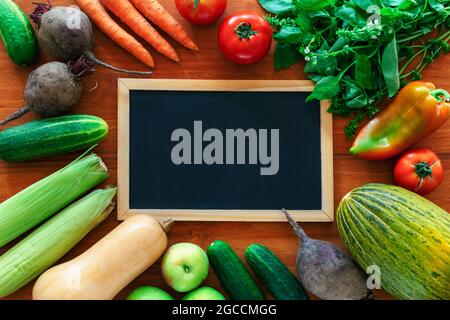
pixel 52 240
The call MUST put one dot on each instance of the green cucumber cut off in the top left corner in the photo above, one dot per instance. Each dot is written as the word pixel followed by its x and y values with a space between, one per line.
pixel 17 34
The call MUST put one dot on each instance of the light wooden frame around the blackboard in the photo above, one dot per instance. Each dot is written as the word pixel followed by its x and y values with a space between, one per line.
pixel 326 214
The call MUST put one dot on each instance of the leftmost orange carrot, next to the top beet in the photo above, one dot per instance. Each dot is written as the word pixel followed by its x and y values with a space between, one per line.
pixel 104 22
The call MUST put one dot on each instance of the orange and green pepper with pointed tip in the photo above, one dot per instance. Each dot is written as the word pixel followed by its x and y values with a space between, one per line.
pixel 418 110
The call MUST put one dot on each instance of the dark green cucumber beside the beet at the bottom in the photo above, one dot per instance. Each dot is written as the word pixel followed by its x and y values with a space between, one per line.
pixel 280 281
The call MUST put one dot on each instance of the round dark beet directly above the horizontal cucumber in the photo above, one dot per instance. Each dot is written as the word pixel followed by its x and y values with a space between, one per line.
pixel 53 89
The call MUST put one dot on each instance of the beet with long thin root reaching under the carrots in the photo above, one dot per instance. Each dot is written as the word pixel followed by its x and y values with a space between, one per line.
pixel 66 32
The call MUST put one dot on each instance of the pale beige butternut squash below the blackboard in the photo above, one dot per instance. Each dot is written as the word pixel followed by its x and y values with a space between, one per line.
pixel 106 268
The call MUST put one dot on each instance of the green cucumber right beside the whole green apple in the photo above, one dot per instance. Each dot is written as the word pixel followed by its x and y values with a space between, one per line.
pixel 232 273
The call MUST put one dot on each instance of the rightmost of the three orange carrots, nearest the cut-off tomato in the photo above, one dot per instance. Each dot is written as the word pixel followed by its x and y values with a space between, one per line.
pixel 156 13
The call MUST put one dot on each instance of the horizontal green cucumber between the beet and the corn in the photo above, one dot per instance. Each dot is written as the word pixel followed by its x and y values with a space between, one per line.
pixel 52 136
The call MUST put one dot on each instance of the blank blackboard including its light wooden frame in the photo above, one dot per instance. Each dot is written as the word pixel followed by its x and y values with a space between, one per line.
pixel 223 150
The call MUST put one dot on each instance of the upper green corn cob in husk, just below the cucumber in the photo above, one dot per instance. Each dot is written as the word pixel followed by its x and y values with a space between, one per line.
pixel 43 199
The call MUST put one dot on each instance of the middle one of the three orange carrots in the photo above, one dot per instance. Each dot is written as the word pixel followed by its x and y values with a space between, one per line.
pixel 129 15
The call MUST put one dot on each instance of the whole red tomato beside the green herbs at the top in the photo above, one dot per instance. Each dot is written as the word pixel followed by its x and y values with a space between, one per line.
pixel 245 38
